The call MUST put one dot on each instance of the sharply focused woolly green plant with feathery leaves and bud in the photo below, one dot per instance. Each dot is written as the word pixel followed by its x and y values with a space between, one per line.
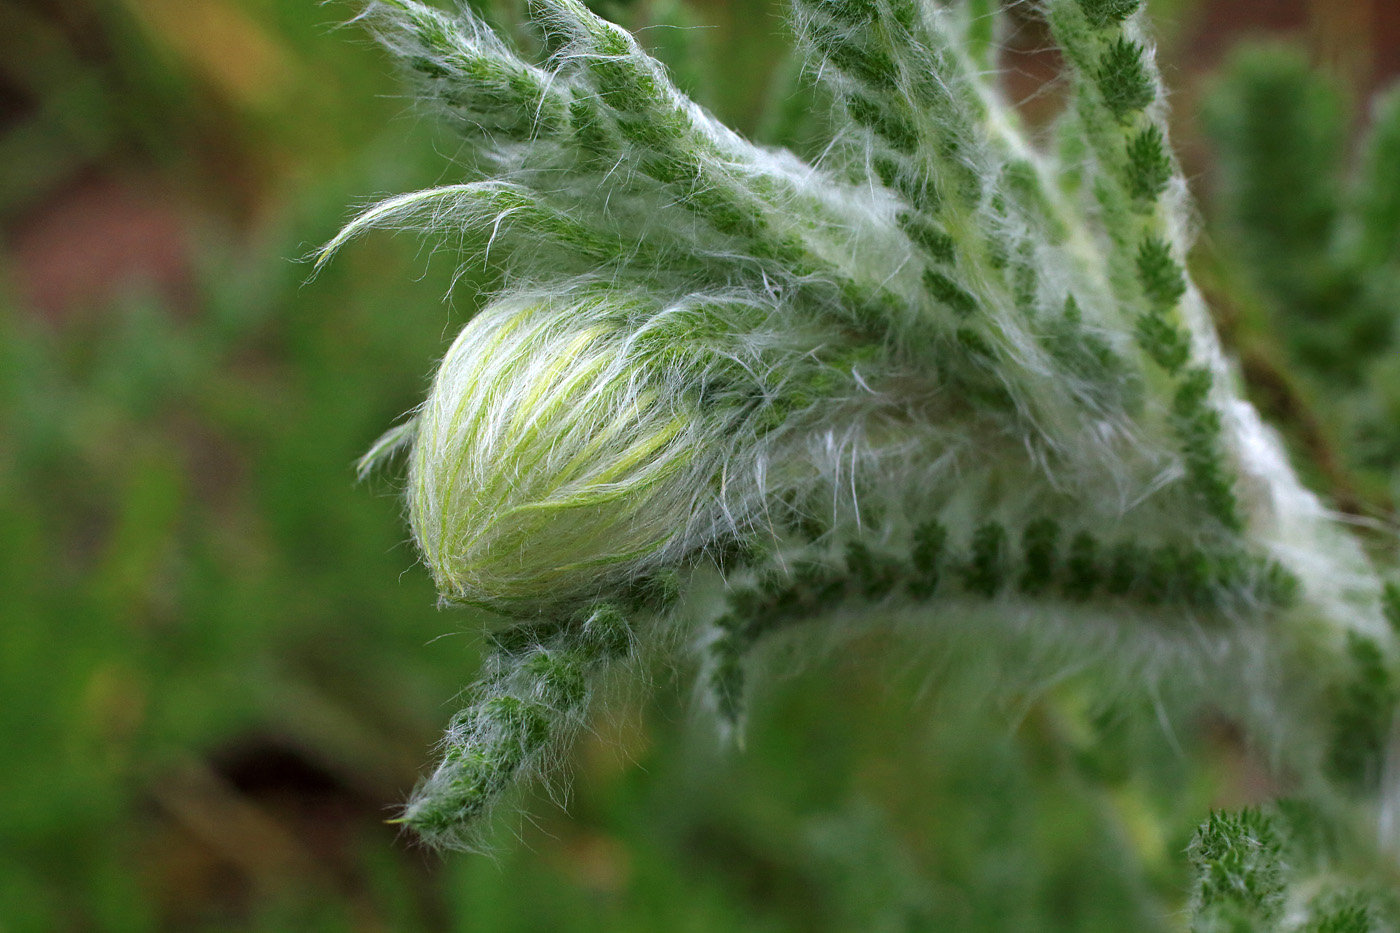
pixel 944 378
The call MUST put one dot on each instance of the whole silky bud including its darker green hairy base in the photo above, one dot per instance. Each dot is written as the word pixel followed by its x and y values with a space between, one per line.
pixel 572 445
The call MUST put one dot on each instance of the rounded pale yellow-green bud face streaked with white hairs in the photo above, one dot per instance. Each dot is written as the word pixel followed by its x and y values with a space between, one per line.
pixel 551 462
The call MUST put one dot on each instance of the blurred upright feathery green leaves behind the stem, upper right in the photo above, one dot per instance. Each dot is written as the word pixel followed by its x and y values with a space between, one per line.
pixel 1312 236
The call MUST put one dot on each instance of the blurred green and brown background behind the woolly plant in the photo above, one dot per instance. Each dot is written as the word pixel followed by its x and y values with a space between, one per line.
pixel 220 668
